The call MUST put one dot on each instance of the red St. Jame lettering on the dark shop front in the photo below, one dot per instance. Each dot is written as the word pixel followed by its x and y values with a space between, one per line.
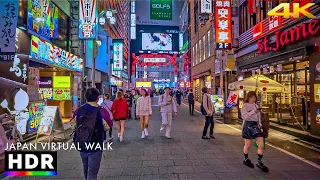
pixel 295 34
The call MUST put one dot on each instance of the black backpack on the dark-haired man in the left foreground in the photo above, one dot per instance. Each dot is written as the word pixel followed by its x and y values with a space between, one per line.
pixel 87 128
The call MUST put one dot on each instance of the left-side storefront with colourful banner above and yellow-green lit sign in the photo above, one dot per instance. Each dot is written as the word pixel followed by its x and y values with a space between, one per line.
pixel 55 78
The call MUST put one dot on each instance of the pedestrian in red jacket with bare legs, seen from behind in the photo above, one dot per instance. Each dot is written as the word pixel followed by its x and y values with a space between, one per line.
pixel 120 112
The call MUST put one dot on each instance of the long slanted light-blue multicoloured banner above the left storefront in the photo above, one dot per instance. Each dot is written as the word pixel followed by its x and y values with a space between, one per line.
pixel 49 53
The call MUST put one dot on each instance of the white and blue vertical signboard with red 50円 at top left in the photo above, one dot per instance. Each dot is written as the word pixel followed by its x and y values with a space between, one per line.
pixel 88 17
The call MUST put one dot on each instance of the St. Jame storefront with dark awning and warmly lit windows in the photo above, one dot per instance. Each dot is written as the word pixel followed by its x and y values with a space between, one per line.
pixel 283 55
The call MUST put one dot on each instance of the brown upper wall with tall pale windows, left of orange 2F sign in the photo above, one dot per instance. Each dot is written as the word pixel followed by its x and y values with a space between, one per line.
pixel 206 62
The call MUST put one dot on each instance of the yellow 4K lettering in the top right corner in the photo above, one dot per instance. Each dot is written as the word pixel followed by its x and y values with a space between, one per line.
pixel 296 10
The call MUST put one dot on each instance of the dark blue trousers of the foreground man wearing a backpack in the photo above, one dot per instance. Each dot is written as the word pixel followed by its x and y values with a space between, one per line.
pixel 94 160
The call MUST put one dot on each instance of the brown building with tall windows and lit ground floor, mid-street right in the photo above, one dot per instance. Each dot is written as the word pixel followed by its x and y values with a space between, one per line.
pixel 202 52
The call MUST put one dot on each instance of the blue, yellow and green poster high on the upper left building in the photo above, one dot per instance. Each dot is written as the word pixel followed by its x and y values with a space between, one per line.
pixel 39 17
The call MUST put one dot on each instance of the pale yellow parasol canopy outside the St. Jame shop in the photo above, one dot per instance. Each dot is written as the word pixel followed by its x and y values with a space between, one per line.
pixel 261 82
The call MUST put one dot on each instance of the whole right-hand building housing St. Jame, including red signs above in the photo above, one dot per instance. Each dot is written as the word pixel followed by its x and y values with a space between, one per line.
pixel 283 50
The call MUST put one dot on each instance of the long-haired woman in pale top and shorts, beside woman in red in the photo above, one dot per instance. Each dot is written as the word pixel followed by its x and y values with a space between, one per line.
pixel 144 111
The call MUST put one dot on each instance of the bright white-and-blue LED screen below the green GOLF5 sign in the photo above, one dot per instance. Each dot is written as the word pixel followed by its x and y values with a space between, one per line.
pixel 157 41
